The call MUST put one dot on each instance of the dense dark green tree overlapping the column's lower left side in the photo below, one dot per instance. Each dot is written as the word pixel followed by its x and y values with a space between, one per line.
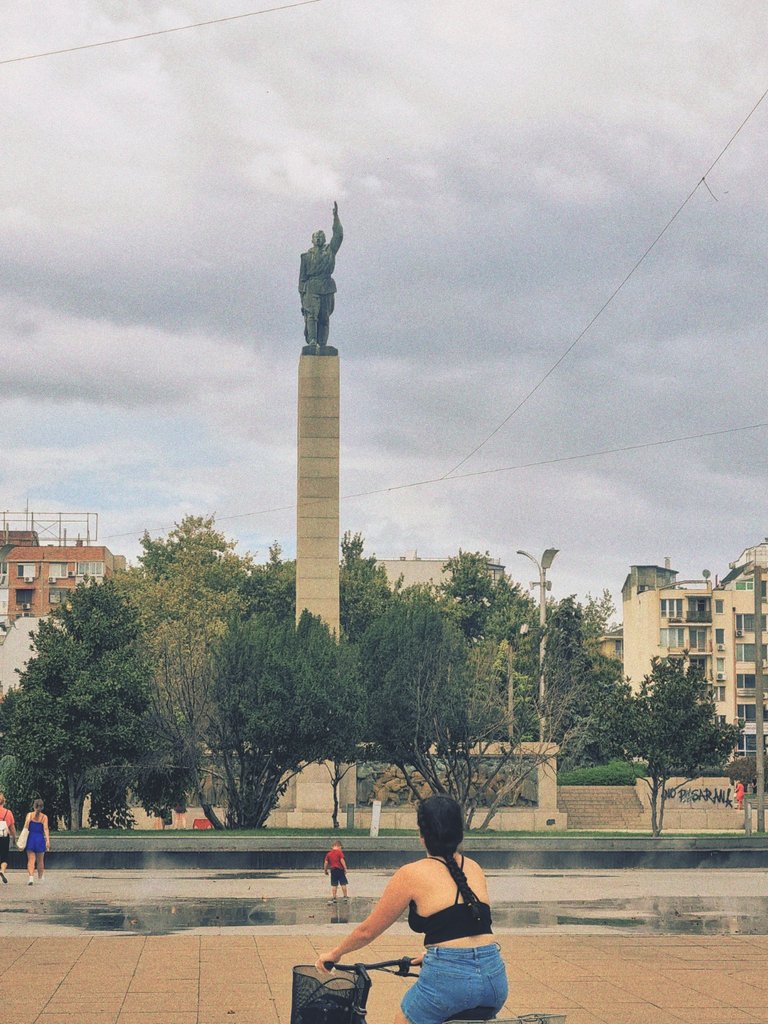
pixel 266 726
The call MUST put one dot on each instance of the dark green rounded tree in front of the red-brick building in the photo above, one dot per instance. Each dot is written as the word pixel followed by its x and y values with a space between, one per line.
pixel 80 710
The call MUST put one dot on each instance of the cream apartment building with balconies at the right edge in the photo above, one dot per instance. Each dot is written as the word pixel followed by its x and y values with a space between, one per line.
pixel 710 624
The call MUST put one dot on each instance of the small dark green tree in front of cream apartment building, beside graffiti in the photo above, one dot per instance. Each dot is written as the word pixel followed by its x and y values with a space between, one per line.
pixel 671 723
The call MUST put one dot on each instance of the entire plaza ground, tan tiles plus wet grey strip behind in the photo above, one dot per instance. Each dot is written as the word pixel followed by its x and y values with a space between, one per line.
pixel 60 971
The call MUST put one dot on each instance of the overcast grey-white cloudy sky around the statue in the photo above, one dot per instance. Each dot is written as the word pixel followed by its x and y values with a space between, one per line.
pixel 554 246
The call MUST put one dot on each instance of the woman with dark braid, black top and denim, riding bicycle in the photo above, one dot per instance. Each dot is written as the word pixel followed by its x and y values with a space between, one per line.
pixel 448 900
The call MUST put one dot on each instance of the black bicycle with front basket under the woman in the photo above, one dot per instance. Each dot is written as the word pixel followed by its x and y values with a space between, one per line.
pixel 344 999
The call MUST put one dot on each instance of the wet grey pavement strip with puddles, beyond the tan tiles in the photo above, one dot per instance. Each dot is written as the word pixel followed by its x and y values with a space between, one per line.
pixel 631 903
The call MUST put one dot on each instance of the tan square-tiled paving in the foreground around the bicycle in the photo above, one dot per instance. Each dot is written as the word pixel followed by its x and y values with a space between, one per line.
pixel 232 979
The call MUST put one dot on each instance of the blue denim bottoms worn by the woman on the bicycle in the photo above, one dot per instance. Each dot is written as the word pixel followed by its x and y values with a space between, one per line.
pixel 454 979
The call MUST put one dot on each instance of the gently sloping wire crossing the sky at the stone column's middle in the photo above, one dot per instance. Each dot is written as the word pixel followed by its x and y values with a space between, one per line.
pixel 485 473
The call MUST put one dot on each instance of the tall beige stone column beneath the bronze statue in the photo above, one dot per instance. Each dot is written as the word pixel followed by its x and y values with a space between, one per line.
pixel 318 505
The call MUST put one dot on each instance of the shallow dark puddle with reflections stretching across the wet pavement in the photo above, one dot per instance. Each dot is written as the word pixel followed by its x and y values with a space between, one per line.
pixel 693 916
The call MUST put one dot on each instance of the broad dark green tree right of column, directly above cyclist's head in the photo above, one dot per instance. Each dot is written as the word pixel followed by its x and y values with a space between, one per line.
pixel 440 708
